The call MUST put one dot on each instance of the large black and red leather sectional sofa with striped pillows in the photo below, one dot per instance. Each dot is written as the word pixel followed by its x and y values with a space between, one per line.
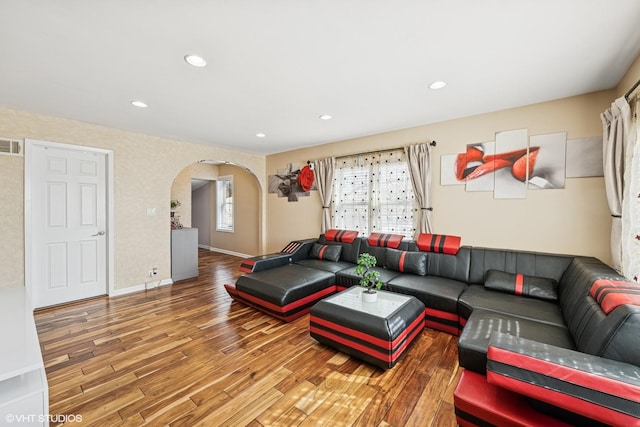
pixel 544 339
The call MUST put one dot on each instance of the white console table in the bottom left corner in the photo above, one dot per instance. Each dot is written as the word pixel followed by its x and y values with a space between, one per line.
pixel 24 392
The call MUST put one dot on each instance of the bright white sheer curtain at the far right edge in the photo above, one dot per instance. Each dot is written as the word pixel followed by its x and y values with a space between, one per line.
pixel 631 199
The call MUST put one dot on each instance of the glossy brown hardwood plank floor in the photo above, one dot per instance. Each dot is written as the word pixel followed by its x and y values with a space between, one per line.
pixel 186 355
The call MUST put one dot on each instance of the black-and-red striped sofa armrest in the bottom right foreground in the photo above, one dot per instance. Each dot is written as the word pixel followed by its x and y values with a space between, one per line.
pixel 601 389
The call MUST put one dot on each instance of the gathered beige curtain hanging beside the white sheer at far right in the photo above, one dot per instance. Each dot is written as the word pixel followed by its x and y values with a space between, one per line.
pixel 615 132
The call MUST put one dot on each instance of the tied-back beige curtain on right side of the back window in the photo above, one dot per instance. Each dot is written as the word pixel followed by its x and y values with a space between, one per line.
pixel 419 160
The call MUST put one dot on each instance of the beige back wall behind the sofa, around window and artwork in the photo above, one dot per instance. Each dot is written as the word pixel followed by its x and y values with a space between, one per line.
pixel 573 220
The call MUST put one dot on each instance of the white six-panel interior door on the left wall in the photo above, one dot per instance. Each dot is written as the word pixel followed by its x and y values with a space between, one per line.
pixel 68 224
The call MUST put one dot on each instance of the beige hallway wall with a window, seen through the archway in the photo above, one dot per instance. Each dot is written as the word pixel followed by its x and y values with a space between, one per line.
pixel 245 214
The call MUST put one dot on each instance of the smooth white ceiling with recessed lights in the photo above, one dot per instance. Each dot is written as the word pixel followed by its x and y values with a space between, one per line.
pixel 274 66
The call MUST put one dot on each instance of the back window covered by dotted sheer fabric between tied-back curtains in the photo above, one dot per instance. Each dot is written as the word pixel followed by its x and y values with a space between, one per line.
pixel 373 194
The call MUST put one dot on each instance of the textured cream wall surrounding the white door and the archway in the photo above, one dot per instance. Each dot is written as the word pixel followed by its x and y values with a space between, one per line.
pixel 144 169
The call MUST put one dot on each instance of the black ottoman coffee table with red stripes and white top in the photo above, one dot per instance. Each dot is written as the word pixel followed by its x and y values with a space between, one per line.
pixel 378 333
